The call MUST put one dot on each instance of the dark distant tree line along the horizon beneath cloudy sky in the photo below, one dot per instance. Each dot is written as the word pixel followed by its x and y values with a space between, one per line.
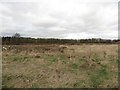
pixel 16 39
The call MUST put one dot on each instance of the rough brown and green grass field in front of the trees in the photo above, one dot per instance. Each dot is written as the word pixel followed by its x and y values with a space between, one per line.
pixel 60 66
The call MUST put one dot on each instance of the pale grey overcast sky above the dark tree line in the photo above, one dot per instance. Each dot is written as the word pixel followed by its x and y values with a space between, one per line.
pixel 66 19
